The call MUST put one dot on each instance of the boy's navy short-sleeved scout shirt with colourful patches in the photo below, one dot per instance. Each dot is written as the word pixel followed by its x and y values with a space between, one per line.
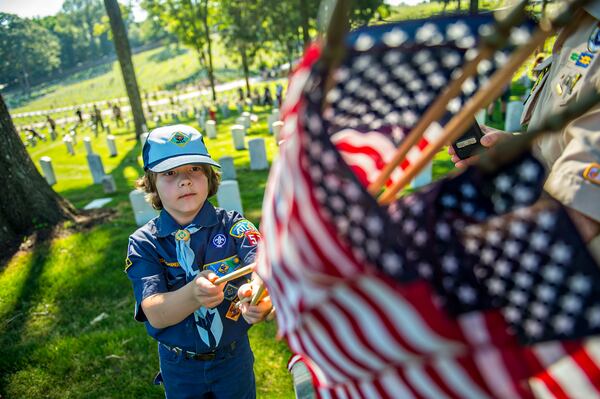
pixel 225 242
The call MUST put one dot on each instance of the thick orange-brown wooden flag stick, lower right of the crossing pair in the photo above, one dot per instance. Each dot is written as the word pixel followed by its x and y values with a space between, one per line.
pixel 461 121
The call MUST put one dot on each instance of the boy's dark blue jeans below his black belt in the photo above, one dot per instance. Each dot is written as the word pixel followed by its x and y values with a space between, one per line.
pixel 229 375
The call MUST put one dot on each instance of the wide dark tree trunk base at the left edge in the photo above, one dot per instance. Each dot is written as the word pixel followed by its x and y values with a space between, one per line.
pixel 27 202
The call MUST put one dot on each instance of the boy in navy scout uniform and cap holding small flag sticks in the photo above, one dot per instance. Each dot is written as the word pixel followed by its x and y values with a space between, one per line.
pixel 172 262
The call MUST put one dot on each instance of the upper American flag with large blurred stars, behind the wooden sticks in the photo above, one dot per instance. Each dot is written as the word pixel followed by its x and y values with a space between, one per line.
pixel 392 74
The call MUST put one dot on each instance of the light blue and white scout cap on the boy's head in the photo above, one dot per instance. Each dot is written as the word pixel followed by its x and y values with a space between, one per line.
pixel 172 146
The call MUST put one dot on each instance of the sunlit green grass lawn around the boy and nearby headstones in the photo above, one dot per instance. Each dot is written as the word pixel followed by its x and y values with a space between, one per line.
pixel 50 296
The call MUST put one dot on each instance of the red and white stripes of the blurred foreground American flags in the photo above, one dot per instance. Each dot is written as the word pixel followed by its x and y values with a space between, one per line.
pixel 369 337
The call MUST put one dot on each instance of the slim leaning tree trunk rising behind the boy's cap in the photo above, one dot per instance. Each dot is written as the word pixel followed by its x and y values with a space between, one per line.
pixel 124 54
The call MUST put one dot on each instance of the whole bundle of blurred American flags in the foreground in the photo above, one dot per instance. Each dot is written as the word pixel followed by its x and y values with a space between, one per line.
pixel 469 288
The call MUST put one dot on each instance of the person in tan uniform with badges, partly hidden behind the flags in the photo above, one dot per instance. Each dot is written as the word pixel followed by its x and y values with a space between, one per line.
pixel 571 156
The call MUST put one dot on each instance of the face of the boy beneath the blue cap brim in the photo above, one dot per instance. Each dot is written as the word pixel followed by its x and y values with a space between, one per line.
pixel 182 191
